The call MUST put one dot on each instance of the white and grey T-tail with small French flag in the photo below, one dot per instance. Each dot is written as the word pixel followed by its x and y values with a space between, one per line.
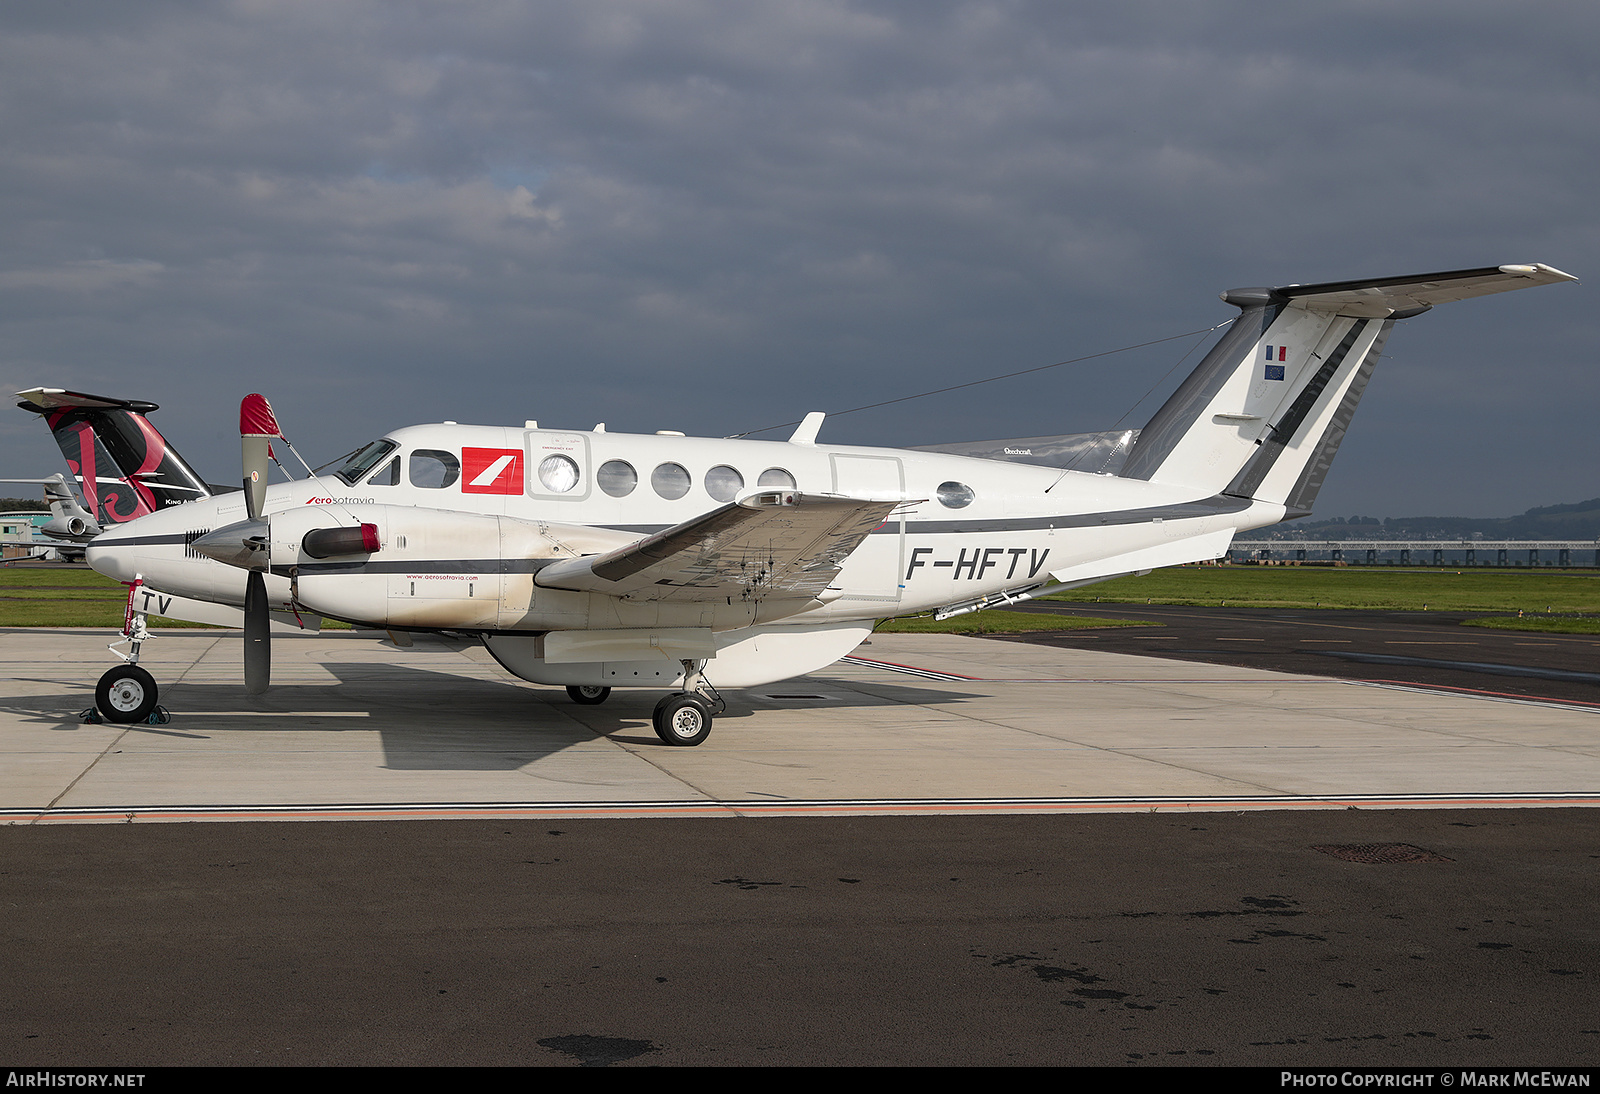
pixel 1263 415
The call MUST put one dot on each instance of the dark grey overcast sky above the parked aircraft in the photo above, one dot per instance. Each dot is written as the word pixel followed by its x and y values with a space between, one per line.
pixel 719 217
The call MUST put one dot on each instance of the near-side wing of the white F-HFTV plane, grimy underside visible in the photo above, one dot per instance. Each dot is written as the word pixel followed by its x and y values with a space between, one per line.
pixel 770 546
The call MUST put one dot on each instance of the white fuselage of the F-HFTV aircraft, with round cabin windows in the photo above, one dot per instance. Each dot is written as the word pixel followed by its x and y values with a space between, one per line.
pixel 465 514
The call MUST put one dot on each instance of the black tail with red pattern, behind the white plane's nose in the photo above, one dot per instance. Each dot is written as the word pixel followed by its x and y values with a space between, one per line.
pixel 124 466
